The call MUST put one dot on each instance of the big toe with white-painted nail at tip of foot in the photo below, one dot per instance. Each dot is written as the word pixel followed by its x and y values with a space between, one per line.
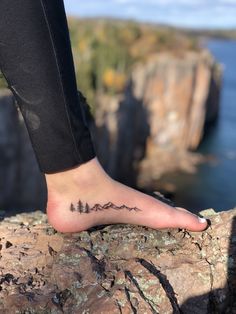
pixel 191 221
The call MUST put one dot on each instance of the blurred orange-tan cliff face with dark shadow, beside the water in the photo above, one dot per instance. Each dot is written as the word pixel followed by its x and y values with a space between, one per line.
pixel 162 114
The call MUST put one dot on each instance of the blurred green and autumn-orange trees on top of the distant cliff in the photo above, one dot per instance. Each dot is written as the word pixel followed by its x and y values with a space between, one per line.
pixel 105 50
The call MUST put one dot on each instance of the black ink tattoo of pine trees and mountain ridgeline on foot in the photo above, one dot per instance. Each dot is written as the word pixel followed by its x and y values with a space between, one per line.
pixel 85 208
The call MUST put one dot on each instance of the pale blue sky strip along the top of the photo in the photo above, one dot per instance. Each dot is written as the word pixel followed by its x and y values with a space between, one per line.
pixel 188 13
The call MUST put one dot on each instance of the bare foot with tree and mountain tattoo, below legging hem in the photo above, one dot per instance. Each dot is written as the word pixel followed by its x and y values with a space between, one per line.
pixel 86 196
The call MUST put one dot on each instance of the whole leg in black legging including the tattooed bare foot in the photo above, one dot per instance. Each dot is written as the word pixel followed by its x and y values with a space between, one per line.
pixel 36 59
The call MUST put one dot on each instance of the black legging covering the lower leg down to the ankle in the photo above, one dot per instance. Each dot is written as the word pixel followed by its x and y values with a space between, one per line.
pixel 37 62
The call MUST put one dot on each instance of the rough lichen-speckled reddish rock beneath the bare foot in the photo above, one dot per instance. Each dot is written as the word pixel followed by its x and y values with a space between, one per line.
pixel 117 269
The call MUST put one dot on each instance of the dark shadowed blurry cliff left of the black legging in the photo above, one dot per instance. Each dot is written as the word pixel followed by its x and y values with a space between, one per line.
pixel 21 184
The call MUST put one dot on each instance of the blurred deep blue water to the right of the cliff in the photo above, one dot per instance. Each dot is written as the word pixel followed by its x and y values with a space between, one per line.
pixel 214 185
